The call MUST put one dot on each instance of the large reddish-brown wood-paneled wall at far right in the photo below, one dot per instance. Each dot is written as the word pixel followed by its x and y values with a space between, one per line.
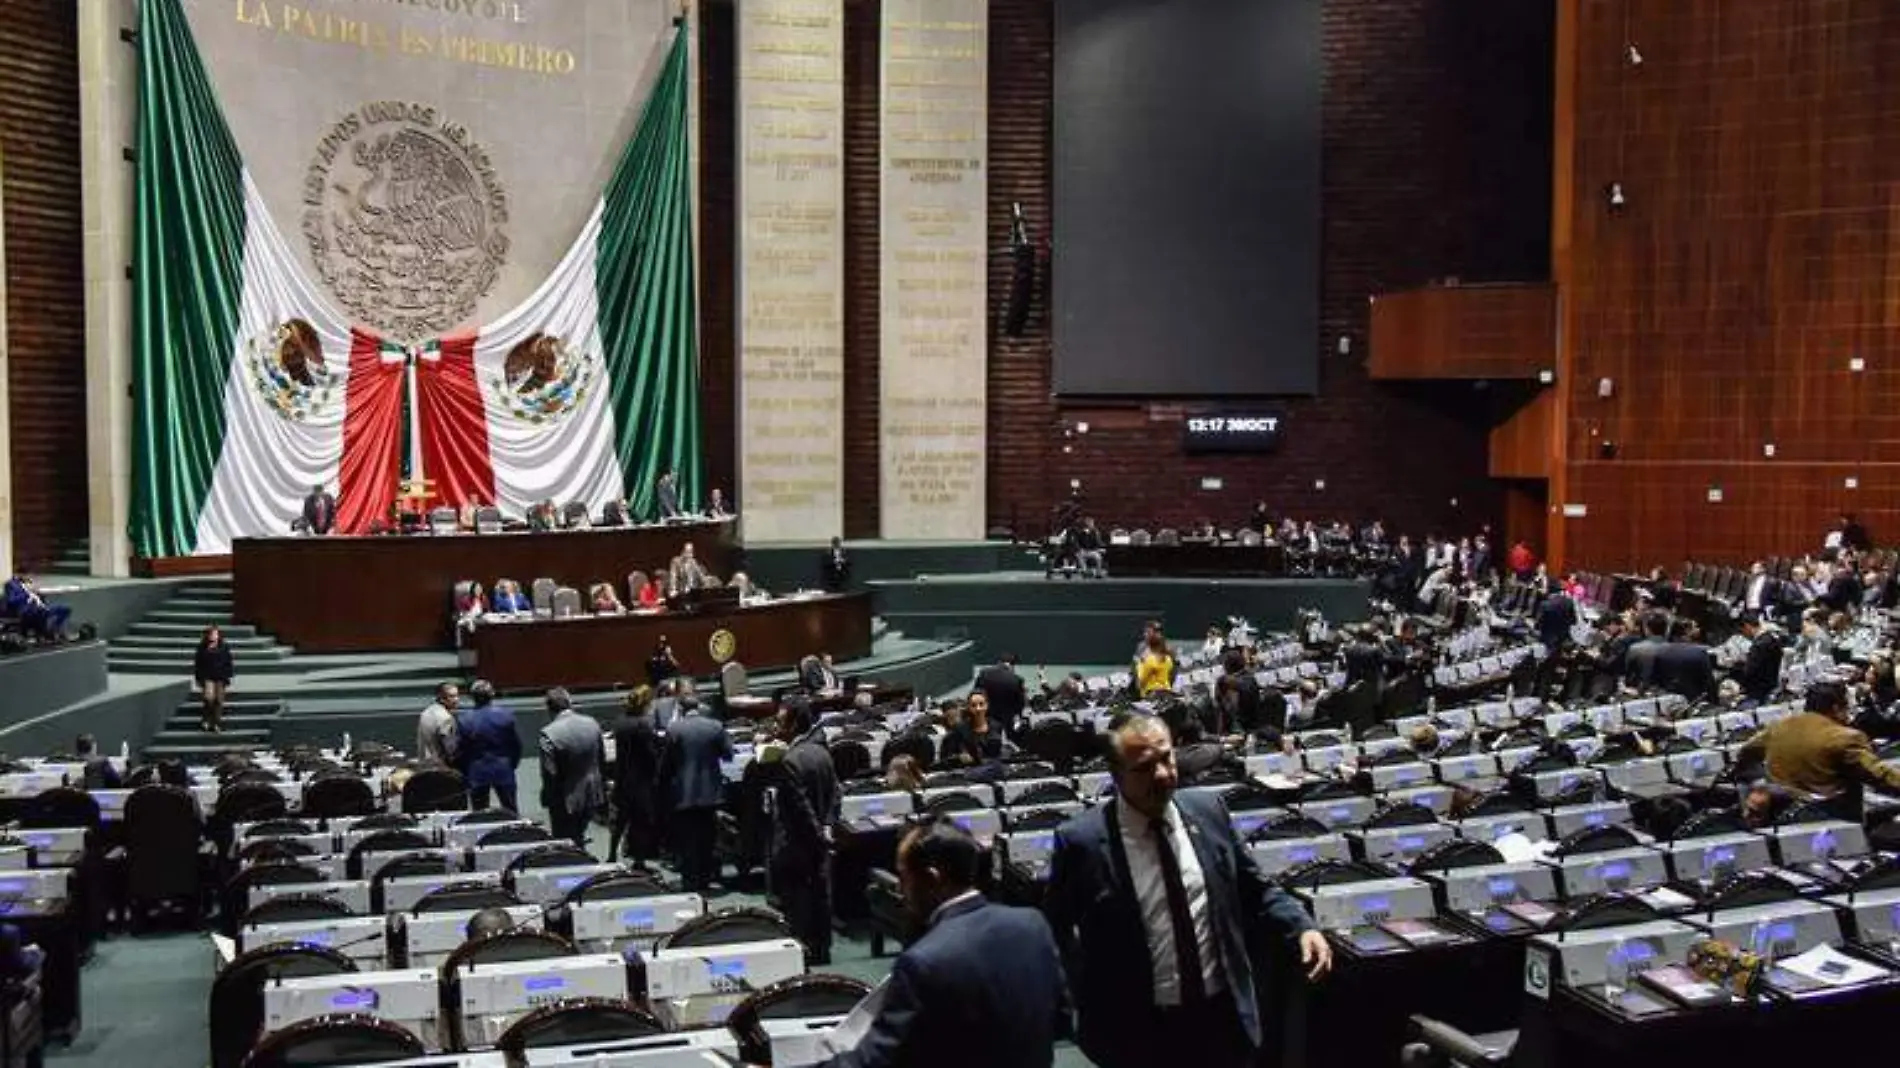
pixel 1758 147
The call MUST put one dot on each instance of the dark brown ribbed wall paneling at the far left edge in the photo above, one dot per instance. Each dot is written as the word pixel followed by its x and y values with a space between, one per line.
pixel 47 278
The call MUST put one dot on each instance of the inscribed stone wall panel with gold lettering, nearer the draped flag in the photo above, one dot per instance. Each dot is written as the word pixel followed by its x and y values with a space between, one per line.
pixel 791 269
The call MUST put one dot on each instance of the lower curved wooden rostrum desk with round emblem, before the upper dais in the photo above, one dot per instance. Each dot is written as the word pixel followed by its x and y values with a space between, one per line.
pixel 611 651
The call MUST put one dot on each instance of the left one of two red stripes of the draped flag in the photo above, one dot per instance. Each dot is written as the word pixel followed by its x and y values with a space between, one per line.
pixel 373 438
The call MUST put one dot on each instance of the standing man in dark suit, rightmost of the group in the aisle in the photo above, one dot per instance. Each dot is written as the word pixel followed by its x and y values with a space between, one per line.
pixel 805 797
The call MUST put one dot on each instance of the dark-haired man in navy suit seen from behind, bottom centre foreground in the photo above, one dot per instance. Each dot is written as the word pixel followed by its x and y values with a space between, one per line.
pixel 981 987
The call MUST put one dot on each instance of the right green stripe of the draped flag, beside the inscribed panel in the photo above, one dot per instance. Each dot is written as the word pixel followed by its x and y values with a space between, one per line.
pixel 645 286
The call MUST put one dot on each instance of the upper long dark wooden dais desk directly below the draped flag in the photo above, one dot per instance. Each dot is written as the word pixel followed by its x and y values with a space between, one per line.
pixel 398 592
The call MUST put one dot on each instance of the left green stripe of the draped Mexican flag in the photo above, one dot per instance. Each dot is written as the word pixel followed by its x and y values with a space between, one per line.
pixel 189 278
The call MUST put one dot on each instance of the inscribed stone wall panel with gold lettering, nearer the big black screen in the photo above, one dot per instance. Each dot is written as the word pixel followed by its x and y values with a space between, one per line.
pixel 934 235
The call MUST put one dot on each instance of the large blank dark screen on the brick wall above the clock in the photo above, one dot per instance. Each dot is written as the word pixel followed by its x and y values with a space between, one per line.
pixel 1187 199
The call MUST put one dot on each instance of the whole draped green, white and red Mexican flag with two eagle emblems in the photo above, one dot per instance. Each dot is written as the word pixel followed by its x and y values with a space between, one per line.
pixel 252 387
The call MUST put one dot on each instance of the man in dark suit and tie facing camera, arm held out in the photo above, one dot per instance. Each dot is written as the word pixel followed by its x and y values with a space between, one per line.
pixel 1154 902
